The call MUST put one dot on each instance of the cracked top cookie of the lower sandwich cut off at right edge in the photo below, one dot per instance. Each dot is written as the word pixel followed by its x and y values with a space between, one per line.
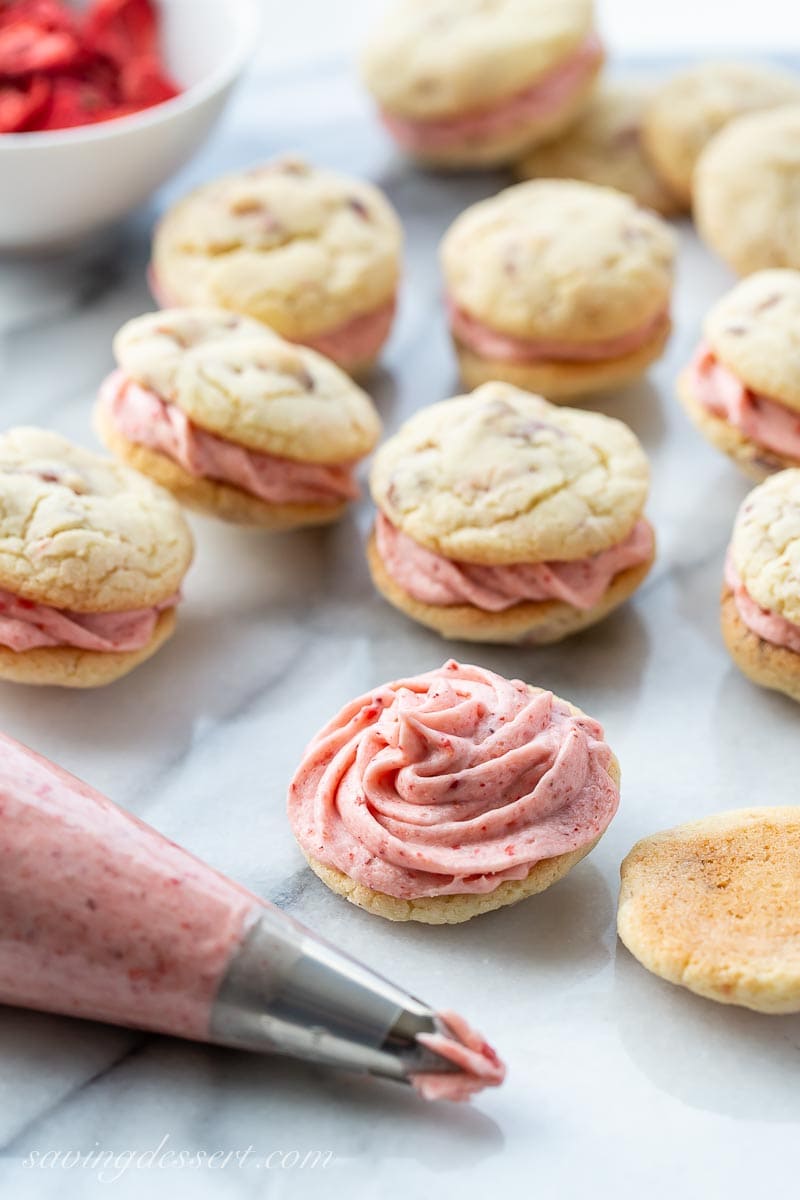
pixel 766 544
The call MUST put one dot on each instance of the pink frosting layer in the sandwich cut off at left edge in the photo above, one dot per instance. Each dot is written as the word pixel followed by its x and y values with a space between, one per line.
pixel 26 626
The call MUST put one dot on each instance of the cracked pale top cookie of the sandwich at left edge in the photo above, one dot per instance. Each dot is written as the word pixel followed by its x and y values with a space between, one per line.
pixel 83 533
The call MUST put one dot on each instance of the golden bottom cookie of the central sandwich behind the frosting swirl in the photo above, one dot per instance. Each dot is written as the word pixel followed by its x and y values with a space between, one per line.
pixel 533 622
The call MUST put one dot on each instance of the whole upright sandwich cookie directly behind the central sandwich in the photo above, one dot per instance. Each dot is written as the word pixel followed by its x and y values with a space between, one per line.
pixel 558 287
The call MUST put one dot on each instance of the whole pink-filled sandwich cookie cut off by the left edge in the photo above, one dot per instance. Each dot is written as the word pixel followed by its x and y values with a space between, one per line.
pixel 92 562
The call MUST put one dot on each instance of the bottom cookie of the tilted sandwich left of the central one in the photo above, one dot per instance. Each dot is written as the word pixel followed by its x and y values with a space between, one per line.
pixel 221 501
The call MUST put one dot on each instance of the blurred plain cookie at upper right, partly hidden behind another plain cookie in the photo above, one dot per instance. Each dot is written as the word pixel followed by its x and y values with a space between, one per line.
pixel 694 105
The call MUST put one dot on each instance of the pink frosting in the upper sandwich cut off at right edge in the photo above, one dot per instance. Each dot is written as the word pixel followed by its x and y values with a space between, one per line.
pixel 761 419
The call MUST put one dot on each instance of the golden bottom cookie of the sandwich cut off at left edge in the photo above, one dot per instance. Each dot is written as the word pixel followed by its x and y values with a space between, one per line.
pixel 64 667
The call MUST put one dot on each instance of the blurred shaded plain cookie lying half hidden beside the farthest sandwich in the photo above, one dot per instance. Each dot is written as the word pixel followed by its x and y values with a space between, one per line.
pixel 604 147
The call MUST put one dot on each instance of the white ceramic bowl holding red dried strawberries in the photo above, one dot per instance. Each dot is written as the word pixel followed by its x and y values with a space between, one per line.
pixel 57 188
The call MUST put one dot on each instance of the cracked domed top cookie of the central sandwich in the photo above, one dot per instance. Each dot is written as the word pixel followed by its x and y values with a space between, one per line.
pixel 504 477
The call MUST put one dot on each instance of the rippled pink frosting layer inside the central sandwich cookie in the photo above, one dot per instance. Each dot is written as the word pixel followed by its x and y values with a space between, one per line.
pixel 434 579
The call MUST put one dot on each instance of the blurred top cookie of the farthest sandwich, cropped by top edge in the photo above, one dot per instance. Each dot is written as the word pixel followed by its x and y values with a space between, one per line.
pixel 443 58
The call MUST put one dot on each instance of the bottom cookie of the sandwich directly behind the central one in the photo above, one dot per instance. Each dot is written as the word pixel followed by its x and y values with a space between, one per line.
pixel 563 381
